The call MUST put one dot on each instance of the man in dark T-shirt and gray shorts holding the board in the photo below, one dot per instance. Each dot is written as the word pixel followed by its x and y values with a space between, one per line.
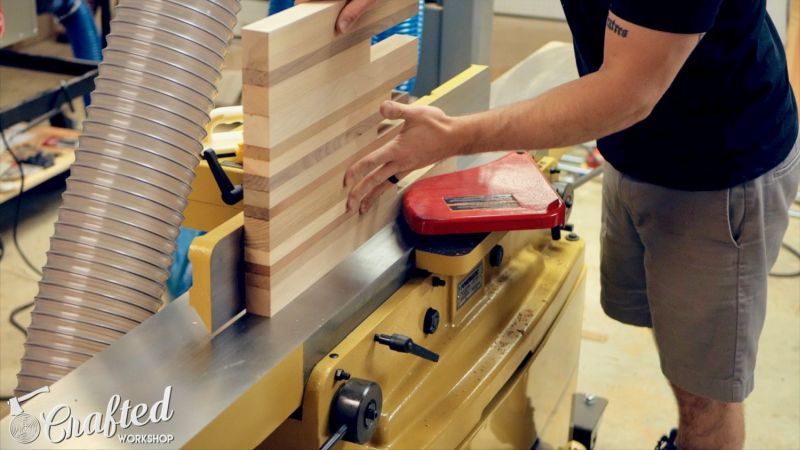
pixel 692 109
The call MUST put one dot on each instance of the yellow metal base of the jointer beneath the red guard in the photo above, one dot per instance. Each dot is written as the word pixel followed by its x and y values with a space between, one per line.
pixel 509 354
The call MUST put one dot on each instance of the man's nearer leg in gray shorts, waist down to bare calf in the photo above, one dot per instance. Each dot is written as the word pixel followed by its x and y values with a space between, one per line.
pixel 707 255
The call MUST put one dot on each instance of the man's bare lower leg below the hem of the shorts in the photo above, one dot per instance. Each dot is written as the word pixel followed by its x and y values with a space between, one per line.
pixel 708 424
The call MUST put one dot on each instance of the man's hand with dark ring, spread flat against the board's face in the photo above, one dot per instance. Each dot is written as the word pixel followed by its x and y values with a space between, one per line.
pixel 427 136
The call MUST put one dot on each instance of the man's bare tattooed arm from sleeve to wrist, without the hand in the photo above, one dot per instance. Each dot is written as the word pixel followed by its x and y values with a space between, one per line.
pixel 639 65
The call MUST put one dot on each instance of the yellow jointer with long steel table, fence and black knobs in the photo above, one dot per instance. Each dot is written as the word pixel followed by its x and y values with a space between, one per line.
pixel 504 324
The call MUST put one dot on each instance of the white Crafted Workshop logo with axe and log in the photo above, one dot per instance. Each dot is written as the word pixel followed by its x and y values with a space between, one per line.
pixel 59 424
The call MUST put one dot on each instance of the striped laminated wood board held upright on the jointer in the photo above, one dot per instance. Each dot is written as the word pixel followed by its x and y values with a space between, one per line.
pixel 311 104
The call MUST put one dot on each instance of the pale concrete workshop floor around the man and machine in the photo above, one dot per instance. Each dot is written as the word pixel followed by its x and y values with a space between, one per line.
pixel 617 362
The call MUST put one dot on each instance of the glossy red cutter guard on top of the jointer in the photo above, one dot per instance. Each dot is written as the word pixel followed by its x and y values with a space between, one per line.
pixel 508 194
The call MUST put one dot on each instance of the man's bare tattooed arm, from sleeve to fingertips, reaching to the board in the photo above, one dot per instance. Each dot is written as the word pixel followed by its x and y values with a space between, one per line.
pixel 638 67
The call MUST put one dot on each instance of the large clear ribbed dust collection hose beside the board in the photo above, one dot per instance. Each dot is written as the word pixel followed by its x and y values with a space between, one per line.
pixel 116 229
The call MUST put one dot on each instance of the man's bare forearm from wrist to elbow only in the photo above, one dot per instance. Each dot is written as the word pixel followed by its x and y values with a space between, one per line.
pixel 582 110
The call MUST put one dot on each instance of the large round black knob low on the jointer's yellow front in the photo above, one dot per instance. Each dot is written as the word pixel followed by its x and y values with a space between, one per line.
pixel 355 412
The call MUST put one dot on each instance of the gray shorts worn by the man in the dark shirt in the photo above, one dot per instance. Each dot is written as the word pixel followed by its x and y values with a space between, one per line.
pixel 694 266
